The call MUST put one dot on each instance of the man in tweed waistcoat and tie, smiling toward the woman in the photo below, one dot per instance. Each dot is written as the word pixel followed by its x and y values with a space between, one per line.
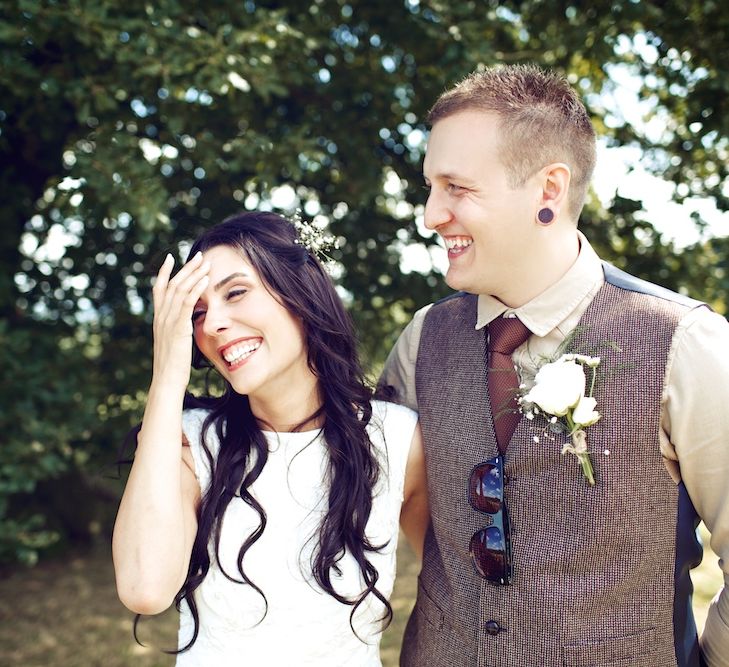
pixel 526 563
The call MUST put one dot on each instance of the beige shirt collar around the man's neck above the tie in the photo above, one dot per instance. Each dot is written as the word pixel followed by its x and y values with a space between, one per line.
pixel 545 311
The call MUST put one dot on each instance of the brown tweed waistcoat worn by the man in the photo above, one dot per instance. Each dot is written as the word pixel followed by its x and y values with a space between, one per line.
pixel 593 581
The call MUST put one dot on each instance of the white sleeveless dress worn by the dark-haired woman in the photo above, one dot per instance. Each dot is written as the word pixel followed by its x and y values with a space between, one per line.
pixel 303 625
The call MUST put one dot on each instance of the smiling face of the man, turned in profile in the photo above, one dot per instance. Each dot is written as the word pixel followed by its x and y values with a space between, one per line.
pixel 487 225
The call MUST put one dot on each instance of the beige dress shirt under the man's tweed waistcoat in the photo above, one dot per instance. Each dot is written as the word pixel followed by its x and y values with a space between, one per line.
pixel 694 435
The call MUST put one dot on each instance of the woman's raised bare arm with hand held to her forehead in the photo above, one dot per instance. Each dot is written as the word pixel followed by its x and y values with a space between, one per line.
pixel 156 522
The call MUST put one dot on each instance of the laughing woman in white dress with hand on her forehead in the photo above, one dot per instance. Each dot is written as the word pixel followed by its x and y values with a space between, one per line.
pixel 269 514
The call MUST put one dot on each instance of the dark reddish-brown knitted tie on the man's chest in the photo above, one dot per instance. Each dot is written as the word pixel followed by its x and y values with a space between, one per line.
pixel 505 335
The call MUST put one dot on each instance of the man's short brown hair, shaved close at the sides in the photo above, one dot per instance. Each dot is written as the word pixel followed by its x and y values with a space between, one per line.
pixel 541 117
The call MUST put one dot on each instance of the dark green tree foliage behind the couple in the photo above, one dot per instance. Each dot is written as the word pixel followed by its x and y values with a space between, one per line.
pixel 125 128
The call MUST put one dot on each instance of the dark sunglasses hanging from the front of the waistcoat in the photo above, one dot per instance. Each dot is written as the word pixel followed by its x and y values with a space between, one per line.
pixel 490 547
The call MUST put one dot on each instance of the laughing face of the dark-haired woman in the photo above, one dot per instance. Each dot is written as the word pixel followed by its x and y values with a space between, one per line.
pixel 245 332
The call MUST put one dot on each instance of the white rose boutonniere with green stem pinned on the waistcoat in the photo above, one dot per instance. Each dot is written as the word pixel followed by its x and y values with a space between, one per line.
pixel 559 393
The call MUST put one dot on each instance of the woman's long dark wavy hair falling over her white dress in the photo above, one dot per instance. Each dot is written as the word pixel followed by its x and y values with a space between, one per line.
pixel 296 278
